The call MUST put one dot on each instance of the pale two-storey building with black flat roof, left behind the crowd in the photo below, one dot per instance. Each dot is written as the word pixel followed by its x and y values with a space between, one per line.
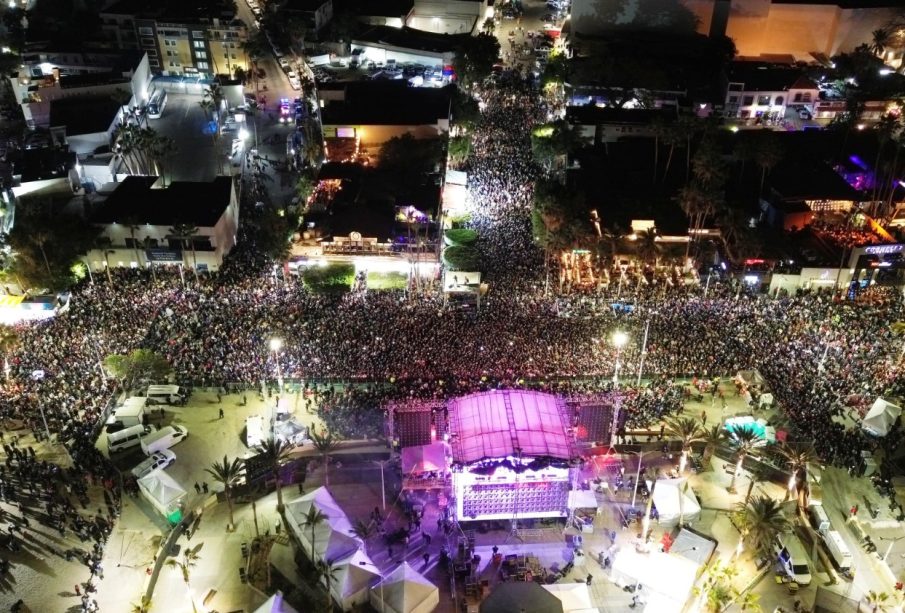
pixel 137 219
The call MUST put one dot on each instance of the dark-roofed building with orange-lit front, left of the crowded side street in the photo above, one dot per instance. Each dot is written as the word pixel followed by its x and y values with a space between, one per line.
pixel 349 112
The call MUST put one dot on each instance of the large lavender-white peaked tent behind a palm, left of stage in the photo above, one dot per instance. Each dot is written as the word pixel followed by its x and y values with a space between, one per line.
pixel 332 538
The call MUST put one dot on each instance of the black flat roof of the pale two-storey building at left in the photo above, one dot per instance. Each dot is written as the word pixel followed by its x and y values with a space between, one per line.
pixel 136 200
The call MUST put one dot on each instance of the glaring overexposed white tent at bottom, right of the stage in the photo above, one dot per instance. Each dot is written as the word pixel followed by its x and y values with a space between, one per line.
pixel 667 579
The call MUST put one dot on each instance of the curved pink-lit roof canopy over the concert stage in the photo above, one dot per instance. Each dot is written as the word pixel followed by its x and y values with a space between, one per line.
pixel 494 424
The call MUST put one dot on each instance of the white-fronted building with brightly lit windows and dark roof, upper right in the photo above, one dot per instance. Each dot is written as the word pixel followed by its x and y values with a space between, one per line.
pixel 761 90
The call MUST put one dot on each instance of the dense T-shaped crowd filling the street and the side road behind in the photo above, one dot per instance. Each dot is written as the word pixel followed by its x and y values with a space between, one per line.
pixel 822 358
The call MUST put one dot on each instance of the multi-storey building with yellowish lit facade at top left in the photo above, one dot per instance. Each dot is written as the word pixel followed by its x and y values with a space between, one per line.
pixel 179 38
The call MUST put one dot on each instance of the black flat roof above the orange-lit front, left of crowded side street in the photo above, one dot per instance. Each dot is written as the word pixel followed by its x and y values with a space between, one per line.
pixel 400 105
